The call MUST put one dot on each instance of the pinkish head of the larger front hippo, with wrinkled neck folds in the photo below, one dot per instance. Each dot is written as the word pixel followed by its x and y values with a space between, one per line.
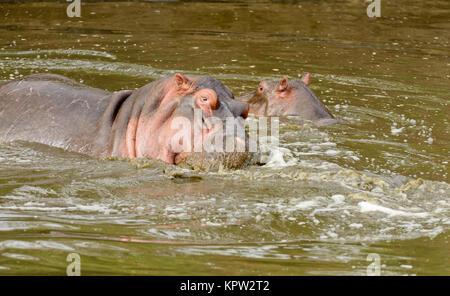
pixel 191 121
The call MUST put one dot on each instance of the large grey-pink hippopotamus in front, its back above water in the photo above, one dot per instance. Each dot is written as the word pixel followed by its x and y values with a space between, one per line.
pixel 147 122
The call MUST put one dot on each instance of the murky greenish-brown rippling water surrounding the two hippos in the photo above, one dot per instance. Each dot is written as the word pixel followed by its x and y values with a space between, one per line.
pixel 327 197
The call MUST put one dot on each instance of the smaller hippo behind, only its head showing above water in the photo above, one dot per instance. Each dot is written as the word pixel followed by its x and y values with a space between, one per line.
pixel 288 97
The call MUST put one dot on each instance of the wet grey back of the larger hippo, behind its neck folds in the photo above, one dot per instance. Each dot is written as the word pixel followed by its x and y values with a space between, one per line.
pixel 50 109
